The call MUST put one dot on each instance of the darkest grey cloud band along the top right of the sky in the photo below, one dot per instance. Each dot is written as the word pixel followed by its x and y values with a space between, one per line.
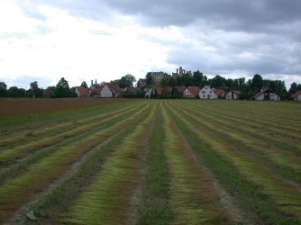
pixel 232 14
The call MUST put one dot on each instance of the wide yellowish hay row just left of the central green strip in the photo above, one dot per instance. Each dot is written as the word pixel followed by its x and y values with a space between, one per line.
pixel 109 199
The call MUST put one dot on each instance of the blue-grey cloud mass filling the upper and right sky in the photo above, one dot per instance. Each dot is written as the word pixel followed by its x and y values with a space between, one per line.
pixel 258 36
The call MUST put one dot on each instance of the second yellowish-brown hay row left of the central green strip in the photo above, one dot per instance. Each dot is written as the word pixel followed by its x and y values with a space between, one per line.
pixel 17 191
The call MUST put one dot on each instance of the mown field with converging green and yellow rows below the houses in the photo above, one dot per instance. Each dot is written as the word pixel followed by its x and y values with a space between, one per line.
pixel 156 162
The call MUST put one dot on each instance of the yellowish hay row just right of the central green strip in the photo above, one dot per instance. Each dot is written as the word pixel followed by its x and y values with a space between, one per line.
pixel 193 197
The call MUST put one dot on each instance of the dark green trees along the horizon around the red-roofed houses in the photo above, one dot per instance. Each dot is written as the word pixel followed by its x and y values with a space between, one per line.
pixel 247 88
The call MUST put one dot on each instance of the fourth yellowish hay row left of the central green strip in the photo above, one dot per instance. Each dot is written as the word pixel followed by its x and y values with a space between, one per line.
pixel 49 129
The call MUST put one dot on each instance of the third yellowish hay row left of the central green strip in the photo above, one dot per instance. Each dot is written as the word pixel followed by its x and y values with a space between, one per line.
pixel 11 155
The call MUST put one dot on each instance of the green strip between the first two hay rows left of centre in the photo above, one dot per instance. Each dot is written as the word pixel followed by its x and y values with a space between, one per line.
pixel 53 206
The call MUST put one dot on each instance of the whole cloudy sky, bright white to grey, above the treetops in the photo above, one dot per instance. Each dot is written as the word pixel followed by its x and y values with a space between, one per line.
pixel 44 40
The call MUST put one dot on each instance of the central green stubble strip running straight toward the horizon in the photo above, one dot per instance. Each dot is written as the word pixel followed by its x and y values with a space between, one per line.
pixel 154 205
